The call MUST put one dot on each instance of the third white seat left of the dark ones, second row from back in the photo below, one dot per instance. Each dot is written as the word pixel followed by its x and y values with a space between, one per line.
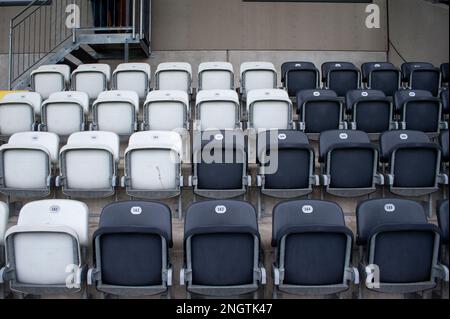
pixel 166 110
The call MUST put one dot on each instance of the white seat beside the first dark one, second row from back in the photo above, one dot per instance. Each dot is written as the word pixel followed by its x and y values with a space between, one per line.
pixel 269 109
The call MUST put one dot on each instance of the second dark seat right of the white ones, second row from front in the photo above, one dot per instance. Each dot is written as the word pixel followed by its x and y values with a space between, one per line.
pixel 286 167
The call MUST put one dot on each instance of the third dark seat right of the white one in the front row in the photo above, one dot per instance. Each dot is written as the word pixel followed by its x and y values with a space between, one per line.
pixel 313 249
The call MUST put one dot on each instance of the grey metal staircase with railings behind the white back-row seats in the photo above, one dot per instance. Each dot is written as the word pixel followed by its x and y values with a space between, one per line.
pixel 66 31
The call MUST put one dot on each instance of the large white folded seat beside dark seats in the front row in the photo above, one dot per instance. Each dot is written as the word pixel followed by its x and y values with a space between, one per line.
pixel 46 251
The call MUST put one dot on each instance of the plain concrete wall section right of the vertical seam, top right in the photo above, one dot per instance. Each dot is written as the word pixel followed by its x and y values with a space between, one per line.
pixel 419 31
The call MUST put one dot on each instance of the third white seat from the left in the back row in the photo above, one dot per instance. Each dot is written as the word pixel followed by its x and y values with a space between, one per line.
pixel 132 77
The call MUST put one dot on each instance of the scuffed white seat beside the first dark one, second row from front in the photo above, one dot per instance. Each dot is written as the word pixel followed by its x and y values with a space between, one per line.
pixel 153 165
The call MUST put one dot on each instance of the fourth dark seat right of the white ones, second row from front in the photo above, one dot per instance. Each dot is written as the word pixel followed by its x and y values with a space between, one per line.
pixel 412 163
